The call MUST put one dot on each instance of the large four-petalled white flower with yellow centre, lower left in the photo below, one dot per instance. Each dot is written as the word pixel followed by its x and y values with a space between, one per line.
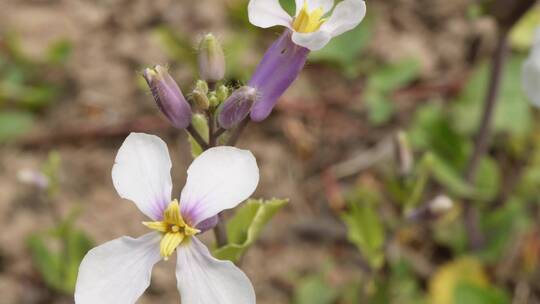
pixel 119 271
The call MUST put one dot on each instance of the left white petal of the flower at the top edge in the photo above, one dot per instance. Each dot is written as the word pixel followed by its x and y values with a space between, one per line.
pixel 267 13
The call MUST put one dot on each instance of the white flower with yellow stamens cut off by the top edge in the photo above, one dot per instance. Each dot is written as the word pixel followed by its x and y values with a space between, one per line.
pixel 311 29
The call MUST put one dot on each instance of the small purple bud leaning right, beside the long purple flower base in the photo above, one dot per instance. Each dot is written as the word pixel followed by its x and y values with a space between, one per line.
pixel 237 107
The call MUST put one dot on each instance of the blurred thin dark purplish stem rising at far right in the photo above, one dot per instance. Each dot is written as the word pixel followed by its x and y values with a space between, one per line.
pixel 476 238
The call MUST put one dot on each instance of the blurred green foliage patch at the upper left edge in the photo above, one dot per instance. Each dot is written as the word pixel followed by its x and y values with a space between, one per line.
pixel 27 84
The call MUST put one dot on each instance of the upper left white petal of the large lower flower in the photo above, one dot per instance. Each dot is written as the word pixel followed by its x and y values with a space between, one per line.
pixel 142 173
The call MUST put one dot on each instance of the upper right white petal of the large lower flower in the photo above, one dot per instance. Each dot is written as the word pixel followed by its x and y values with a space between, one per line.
pixel 220 178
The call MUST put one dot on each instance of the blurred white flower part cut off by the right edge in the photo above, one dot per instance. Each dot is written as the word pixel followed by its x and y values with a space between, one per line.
pixel 531 72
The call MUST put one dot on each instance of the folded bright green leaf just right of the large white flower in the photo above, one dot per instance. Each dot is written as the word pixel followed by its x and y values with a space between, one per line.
pixel 246 225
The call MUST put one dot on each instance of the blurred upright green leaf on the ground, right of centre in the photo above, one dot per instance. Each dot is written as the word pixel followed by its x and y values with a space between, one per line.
pixel 364 227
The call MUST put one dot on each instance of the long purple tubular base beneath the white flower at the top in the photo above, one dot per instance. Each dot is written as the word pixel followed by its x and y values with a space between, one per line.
pixel 275 73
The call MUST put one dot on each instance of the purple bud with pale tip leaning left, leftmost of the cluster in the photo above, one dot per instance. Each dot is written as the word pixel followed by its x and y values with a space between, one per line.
pixel 168 96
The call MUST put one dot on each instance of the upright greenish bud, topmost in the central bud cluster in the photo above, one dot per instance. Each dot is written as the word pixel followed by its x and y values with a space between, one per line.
pixel 211 59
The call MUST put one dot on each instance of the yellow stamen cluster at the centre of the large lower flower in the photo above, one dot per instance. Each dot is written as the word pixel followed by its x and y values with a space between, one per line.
pixel 175 230
